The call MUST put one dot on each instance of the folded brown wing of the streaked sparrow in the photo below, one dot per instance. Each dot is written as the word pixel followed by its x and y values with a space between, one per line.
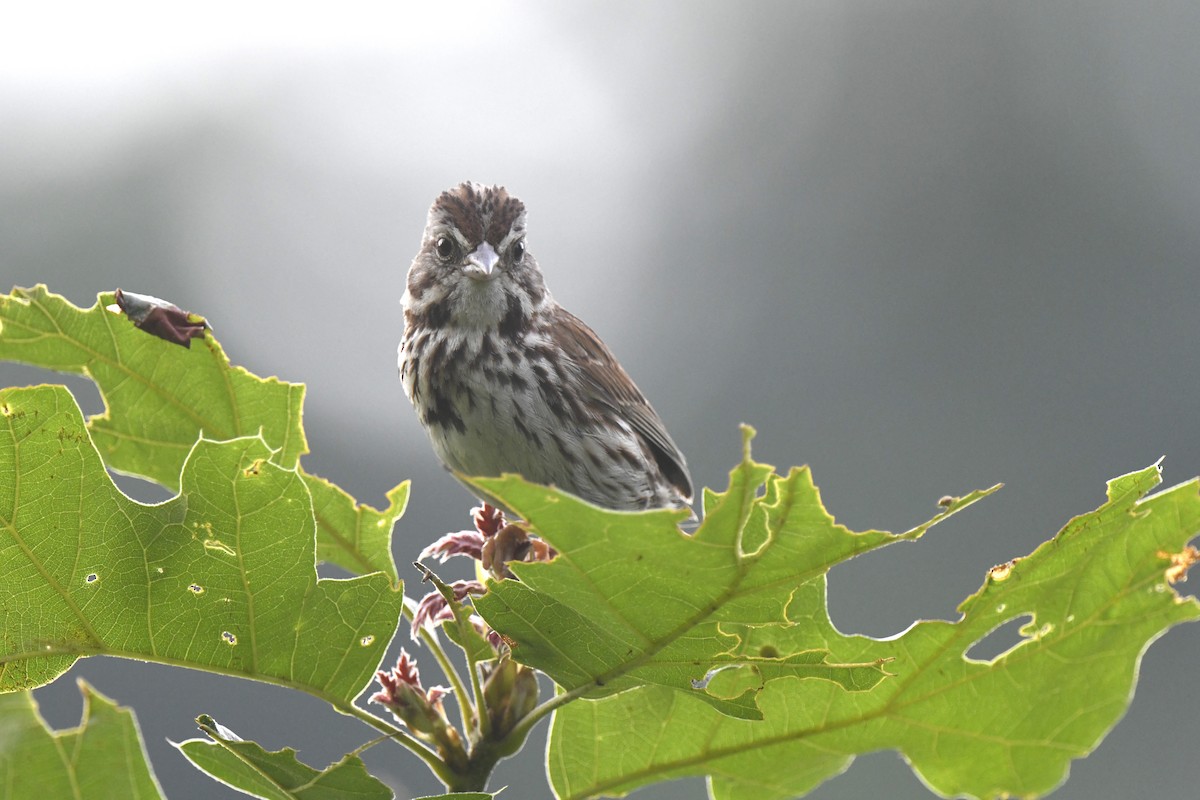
pixel 613 387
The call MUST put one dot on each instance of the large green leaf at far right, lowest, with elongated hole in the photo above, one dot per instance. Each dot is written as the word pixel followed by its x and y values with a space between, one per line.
pixel 1099 594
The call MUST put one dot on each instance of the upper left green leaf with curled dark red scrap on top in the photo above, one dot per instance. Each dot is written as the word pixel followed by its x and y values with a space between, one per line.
pixel 161 398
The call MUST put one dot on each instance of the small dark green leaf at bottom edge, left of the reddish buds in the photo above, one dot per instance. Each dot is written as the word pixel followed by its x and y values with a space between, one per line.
pixel 278 775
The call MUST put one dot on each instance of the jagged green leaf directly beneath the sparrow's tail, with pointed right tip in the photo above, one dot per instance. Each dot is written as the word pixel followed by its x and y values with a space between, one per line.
pixel 632 601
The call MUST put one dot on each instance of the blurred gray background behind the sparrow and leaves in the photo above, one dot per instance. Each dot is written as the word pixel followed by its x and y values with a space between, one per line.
pixel 923 248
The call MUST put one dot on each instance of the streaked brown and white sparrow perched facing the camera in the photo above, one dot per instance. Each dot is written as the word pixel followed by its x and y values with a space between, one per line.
pixel 507 381
